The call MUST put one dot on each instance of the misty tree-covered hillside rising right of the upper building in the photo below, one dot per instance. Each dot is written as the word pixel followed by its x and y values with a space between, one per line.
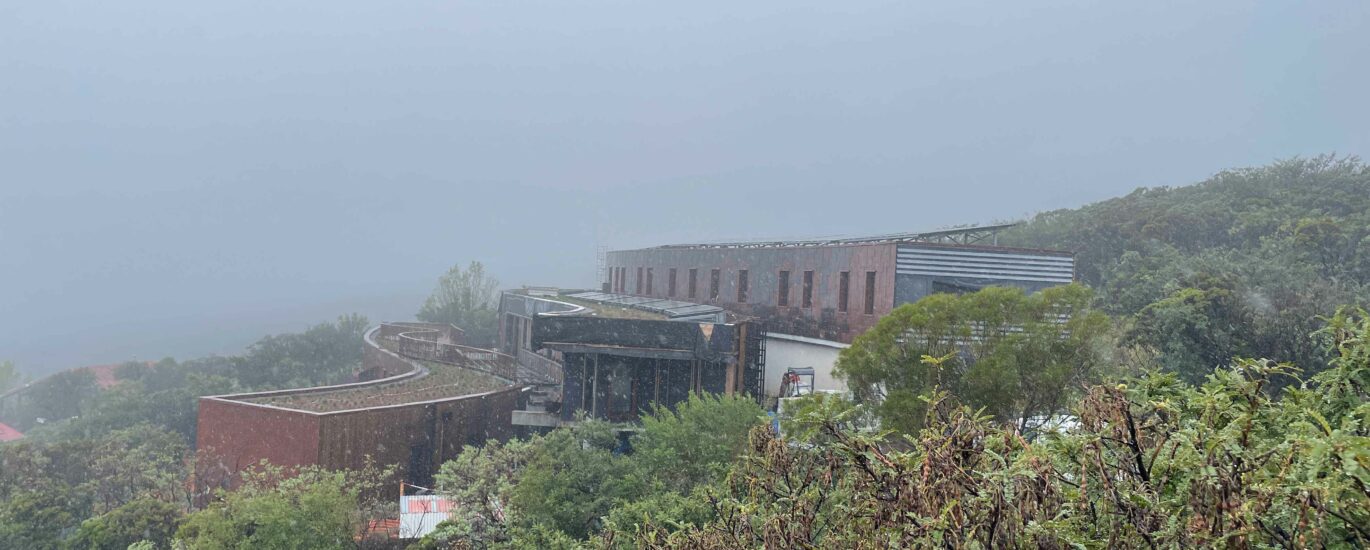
pixel 1242 264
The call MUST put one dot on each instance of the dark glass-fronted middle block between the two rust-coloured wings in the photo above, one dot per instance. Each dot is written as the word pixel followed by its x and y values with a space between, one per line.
pixel 620 356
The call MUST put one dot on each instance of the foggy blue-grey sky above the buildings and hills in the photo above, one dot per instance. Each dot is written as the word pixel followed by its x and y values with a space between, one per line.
pixel 184 178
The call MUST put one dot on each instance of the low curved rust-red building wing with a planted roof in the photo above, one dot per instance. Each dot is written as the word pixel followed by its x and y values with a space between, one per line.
pixel 235 433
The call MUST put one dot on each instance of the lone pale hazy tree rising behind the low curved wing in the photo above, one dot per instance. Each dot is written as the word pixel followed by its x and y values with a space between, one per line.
pixel 468 300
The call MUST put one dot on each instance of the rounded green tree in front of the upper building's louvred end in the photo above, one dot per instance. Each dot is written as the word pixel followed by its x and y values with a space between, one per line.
pixel 1019 356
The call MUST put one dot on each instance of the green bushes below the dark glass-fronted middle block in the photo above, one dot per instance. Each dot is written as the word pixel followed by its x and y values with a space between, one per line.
pixel 561 488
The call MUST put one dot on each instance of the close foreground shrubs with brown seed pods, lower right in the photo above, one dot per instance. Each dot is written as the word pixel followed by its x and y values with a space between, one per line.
pixel 1154 463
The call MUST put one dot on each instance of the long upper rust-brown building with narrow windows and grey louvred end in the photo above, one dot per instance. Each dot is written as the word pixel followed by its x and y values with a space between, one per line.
pixel 831 291
